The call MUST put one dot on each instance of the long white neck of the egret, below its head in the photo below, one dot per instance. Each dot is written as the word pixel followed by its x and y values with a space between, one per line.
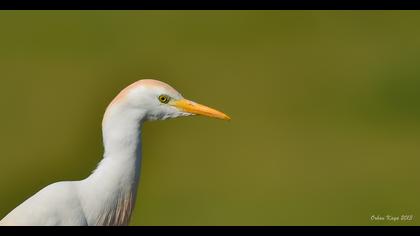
pixel 113 185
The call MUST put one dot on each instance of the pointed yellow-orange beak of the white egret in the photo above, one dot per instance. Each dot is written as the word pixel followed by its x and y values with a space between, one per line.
pixel 198 109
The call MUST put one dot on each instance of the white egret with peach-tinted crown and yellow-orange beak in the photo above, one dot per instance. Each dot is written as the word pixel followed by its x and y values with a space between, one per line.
pixel 108 195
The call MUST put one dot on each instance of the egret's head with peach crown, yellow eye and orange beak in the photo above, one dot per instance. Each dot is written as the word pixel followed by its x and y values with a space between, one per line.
pixel 159 101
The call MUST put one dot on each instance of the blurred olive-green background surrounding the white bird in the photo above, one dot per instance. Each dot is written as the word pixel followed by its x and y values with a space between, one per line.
pixel 325 109
